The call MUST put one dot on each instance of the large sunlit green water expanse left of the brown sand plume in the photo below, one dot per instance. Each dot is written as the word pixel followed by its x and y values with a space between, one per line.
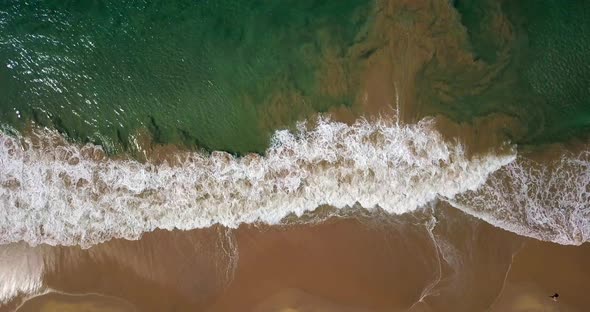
pixel 193 72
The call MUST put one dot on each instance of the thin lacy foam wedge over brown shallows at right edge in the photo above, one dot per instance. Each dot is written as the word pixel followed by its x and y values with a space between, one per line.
pixel 549 201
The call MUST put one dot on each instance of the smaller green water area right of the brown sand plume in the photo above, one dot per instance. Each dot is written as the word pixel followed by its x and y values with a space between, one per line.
pixel 539 73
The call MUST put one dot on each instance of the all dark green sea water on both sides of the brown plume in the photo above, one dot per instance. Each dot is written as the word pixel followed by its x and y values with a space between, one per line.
pixel 223 74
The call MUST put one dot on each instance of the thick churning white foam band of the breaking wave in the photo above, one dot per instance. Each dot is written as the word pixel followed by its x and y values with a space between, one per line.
pixel 56 195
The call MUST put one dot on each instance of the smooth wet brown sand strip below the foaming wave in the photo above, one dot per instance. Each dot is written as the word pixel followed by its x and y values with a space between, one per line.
pixel 363 263
